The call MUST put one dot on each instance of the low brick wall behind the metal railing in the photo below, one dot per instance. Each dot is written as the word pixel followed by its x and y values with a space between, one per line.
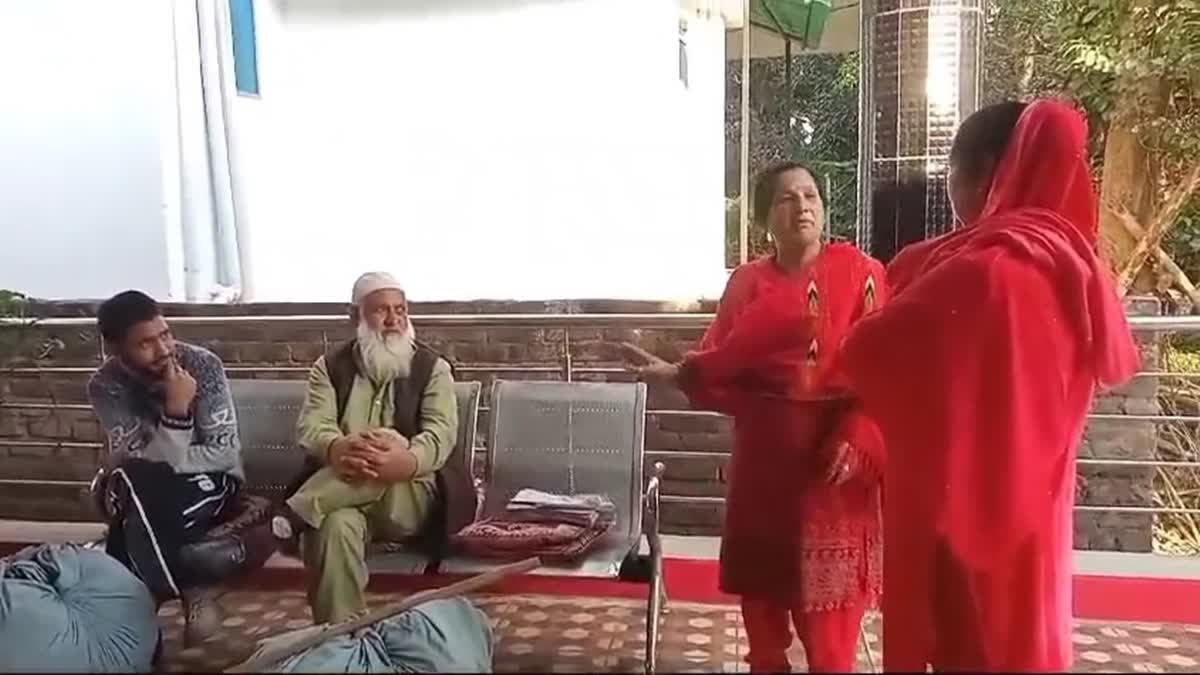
pixel 259 344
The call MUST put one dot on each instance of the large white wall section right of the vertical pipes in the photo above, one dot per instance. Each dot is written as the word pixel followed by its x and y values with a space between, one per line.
pixel 482 150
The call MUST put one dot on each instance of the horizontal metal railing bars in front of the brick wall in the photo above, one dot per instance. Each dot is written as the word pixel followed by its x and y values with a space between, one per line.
pixel 568 371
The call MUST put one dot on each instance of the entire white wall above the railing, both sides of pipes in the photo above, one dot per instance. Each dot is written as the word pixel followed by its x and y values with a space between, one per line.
pixel 476 148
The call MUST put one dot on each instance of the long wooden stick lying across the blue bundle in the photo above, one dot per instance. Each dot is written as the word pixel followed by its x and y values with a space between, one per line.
pixel 271 656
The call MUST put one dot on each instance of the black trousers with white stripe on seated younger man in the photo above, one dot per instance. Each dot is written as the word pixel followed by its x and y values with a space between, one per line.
pixel 159 512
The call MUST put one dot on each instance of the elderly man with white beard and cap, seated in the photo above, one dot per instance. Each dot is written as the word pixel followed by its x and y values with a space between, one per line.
pixel 381 419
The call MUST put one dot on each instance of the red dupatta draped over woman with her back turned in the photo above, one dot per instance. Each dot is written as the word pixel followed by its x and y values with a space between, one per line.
pixel 981 369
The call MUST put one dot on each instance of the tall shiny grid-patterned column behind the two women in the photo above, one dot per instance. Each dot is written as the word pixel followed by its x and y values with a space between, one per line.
pixel 921 77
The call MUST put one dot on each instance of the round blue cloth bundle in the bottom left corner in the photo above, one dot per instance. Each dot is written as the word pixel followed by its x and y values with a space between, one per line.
pixel 70 610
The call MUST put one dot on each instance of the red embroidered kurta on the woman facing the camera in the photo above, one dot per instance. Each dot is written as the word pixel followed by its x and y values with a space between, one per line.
pixel 767 362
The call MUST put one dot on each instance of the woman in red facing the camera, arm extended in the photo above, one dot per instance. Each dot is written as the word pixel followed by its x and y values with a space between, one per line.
pixel 801 539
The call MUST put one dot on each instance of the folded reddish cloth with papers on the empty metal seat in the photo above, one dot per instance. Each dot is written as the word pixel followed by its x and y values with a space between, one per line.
pixel 554 528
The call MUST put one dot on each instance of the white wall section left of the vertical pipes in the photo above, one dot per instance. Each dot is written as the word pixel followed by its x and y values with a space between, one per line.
pixel 85 91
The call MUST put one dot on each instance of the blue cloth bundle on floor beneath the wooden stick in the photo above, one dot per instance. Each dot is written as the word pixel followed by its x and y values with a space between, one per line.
pixel 447 636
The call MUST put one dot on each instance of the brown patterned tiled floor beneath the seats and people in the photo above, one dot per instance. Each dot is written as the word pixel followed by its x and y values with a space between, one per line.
pixel 543 635
